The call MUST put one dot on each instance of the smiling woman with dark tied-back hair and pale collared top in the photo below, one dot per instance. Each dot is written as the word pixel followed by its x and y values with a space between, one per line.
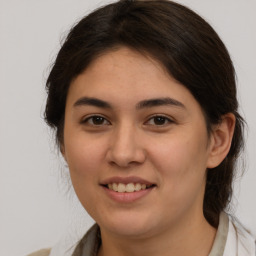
pixel 142 97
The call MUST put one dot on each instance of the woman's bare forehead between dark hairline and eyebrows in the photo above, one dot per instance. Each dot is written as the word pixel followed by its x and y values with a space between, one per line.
pixel 126 76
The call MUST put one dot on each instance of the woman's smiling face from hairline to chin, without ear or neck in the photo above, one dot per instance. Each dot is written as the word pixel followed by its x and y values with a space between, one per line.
pixel 136 144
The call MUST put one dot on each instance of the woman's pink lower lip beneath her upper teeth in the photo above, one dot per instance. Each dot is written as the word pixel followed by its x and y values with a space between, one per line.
pixel 127 197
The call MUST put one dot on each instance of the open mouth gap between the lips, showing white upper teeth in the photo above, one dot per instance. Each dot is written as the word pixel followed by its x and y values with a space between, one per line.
pixel 128 188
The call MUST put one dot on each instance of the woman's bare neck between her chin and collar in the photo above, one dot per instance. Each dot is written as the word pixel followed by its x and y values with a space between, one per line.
pixel 194 237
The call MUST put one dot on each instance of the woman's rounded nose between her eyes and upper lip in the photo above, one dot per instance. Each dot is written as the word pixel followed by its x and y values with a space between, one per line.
pixel 126 148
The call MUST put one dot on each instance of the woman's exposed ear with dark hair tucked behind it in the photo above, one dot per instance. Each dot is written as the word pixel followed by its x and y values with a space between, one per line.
pixel 221 139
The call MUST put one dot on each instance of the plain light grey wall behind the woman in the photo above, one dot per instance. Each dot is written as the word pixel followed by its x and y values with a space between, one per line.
pixel 35 206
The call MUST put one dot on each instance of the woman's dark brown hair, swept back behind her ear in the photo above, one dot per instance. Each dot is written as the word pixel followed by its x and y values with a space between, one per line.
pixel 184 43
